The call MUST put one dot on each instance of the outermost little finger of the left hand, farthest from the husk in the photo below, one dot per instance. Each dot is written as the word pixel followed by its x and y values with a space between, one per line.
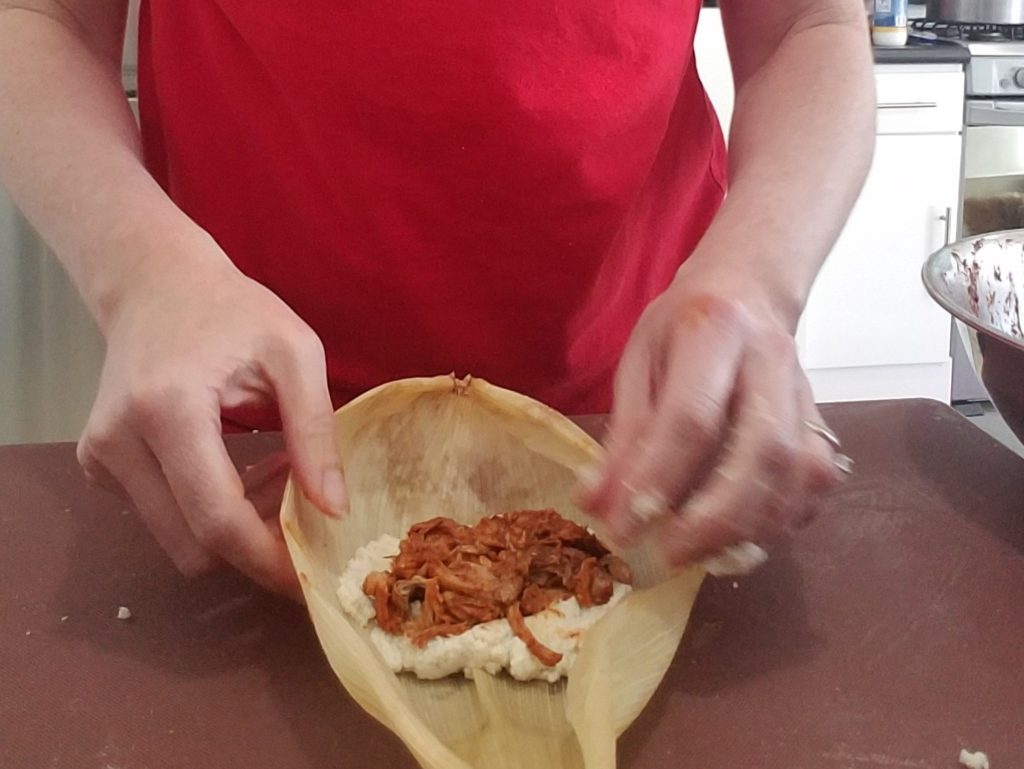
pixel 107 458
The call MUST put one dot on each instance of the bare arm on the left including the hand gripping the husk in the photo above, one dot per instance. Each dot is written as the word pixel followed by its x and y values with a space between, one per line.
pixel 187 333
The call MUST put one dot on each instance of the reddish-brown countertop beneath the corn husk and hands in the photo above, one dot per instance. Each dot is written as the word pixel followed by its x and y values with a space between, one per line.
pixel 887 634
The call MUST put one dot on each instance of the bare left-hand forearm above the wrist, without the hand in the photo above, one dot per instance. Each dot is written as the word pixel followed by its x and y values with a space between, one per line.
pixel 70 156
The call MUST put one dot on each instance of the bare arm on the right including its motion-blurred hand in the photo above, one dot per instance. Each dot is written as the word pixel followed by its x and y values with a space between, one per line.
pixel 709 444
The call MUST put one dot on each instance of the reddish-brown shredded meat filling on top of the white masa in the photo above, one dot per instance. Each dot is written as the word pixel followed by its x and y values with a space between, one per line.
pixel 449 577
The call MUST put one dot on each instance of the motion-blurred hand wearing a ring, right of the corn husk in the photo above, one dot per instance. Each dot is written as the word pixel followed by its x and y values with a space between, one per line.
pixel 715 440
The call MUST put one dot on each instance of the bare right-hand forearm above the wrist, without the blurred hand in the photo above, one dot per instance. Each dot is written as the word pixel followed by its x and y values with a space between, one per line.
pixel 801 144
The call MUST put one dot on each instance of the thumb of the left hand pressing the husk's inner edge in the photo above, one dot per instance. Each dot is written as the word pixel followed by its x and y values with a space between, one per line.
pixel 300 379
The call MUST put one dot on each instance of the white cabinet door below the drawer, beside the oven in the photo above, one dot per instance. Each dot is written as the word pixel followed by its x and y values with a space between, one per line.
pixel 870 330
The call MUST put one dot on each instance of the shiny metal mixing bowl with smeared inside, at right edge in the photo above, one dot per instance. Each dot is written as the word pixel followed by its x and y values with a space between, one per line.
pixel 980 281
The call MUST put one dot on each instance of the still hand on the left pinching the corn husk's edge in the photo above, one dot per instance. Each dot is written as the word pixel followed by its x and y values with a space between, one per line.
pixel 183 347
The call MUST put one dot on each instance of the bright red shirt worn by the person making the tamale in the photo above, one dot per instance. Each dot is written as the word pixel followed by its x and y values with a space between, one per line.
pixel 438 186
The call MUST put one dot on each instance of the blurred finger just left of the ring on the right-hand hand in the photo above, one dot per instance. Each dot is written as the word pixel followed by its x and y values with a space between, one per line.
pixel 749 496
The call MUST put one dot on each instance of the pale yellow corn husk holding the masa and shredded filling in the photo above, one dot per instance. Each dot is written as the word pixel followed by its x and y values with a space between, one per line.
pixel 419 448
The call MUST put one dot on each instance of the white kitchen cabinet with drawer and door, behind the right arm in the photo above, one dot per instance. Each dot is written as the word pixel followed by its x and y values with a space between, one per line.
pixel 870 330
